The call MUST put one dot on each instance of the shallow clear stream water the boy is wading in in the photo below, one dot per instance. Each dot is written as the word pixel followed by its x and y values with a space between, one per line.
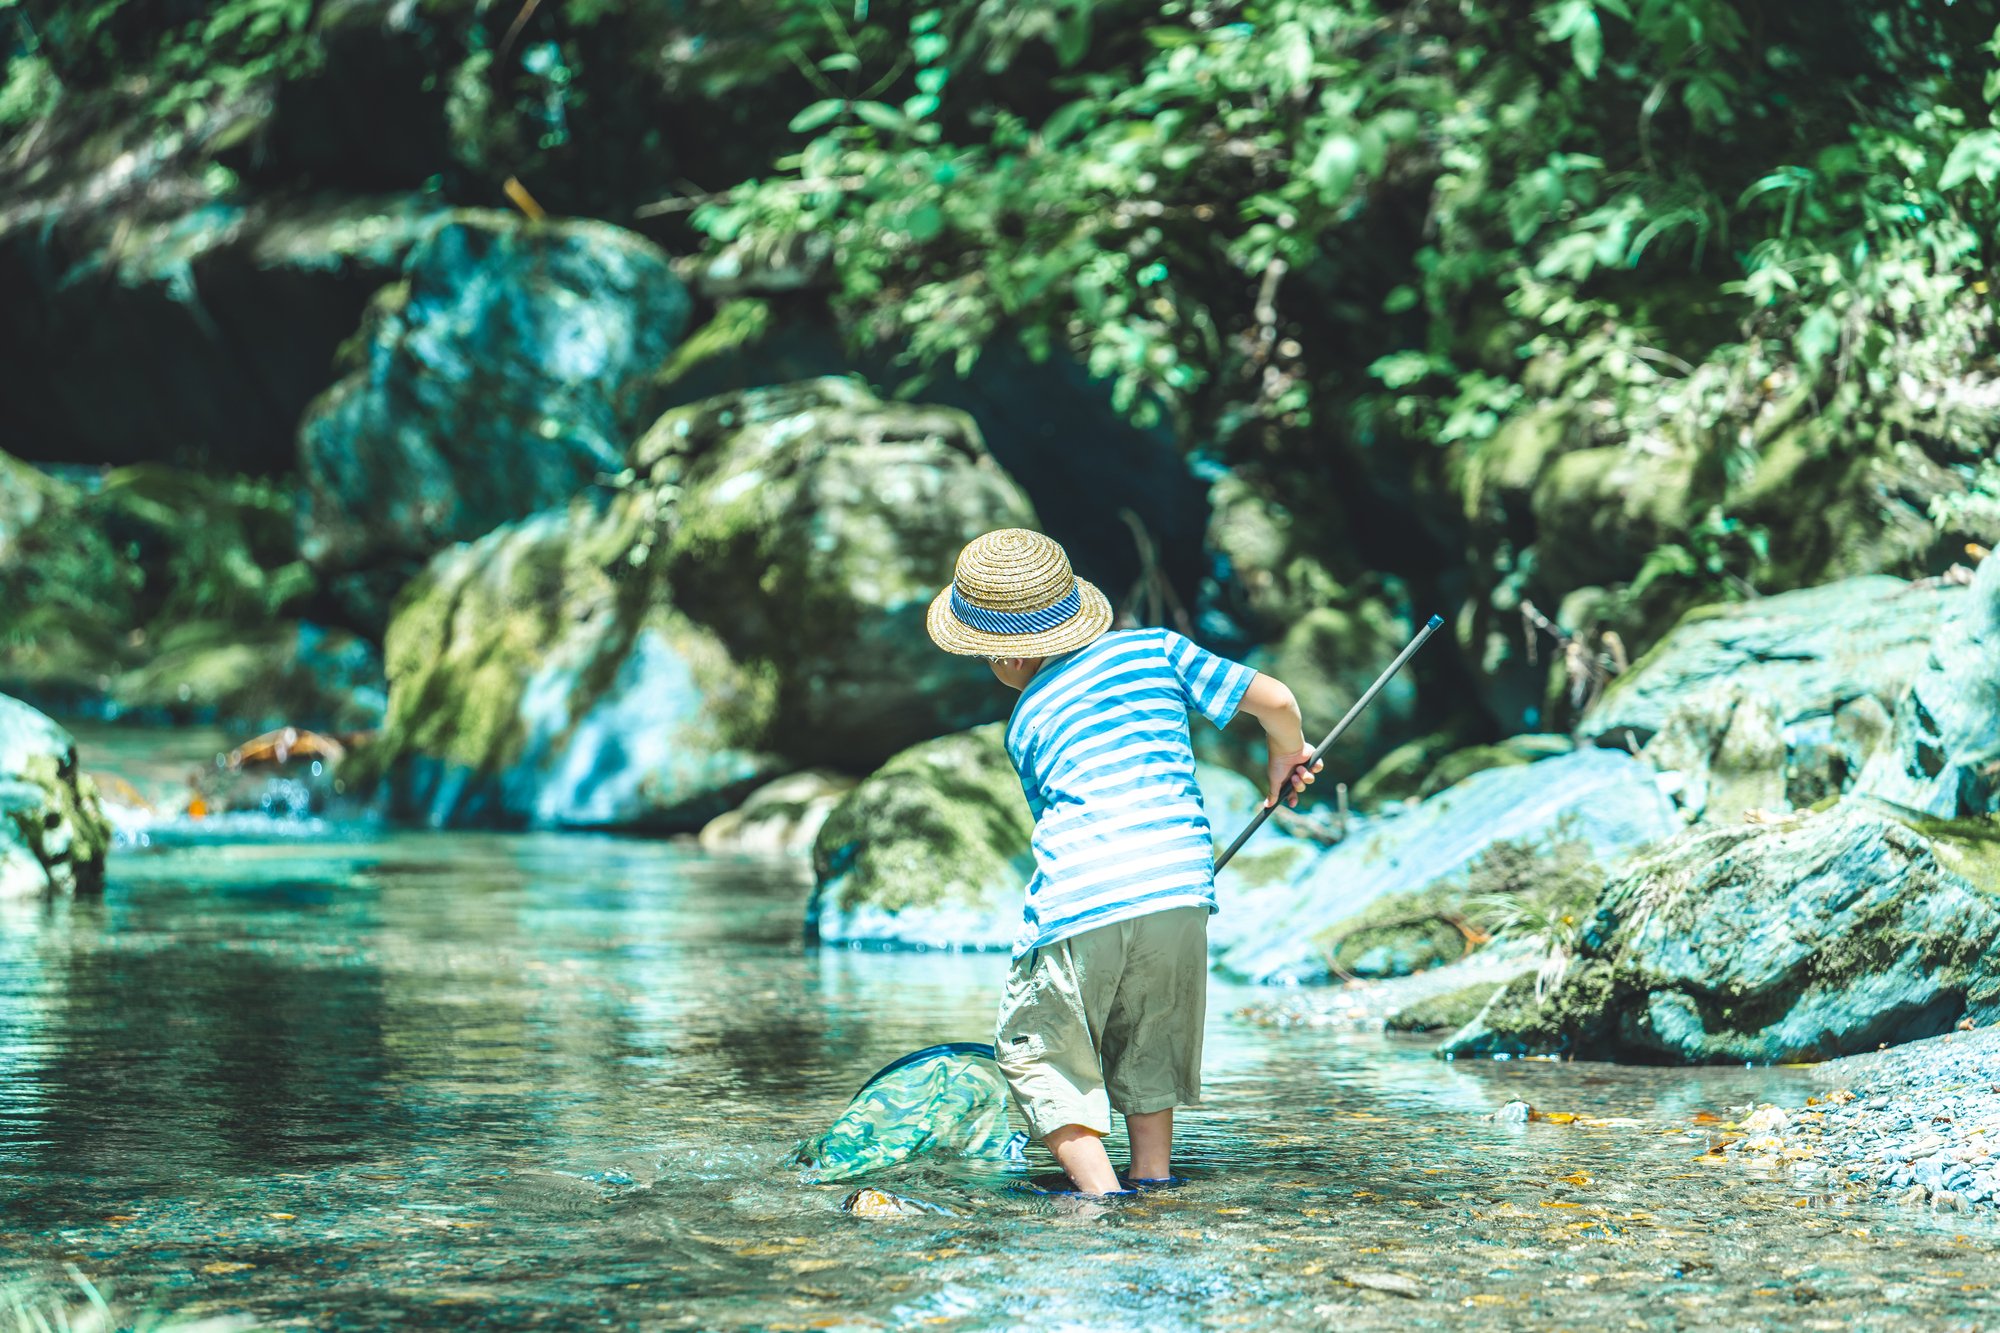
pixel 485 1082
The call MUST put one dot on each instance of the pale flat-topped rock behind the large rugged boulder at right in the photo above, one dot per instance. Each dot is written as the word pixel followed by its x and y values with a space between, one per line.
pixel 1775 704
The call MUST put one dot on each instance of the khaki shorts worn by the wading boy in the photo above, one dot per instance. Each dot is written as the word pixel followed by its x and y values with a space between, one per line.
pixel 1109 1022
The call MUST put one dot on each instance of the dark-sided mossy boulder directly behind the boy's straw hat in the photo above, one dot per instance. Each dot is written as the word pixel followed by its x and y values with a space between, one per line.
pixel 811 527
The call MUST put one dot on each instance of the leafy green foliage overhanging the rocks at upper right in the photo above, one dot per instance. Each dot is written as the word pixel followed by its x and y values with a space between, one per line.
pixel 1693 221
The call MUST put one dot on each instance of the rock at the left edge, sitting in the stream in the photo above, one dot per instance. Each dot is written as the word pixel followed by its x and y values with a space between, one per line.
pixel 53 834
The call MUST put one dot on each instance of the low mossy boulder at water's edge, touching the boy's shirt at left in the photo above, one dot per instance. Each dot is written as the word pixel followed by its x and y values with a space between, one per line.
pixel 929 852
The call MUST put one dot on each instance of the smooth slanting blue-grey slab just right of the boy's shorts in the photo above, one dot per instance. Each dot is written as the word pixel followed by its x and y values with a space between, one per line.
pixel 1401 880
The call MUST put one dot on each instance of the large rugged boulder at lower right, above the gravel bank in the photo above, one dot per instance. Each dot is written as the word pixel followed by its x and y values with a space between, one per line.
pixel 1799 942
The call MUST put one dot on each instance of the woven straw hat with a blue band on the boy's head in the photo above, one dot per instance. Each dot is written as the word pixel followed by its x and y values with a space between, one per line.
pixel 1017 597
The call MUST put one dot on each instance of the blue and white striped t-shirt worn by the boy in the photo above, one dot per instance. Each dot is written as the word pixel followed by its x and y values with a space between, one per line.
pixel 1101 744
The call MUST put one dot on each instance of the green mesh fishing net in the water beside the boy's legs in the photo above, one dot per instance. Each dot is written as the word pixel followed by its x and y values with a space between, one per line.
pixel 939 1102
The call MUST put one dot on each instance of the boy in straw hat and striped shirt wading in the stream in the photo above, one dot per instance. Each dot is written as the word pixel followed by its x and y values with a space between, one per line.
pixel 1111 970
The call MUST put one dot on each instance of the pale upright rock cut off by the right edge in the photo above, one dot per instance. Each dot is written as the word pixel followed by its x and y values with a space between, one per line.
pixel 1943 756
